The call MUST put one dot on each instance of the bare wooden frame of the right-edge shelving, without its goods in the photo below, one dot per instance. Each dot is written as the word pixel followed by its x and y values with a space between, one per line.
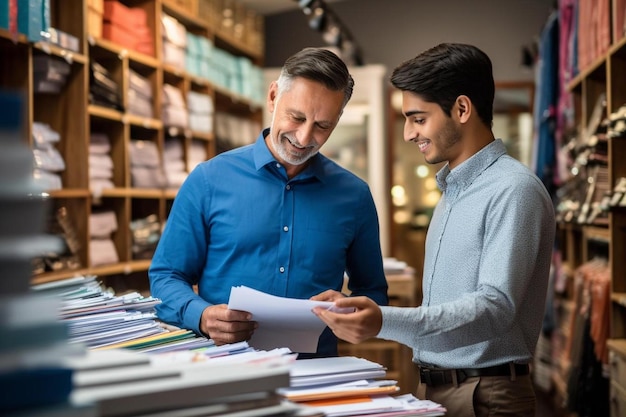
pixel 603 77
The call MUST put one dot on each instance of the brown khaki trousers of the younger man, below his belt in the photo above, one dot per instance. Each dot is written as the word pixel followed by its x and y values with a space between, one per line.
pixel 487 396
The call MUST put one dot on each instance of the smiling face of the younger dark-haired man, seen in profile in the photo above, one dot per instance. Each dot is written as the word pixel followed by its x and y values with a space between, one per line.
pixel 438 136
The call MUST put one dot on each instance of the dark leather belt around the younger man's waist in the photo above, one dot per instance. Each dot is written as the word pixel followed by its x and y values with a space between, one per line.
pixel 434 377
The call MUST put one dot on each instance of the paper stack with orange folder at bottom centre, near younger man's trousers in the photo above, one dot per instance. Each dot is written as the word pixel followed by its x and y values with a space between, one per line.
pixel 351 386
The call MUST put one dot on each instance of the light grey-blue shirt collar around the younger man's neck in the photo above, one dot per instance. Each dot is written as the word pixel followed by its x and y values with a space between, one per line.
pixel 468 170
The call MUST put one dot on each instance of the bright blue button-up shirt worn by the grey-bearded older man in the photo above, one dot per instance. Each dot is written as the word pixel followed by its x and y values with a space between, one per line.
pixel 238 220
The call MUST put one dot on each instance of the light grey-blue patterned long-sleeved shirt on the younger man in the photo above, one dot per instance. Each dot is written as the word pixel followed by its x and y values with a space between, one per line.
pixel 488 254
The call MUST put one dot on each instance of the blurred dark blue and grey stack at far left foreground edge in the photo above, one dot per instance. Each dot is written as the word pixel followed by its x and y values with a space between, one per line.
pixel 34 381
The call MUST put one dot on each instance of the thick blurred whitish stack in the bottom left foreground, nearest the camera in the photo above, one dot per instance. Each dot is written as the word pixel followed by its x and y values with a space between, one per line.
pixel 125 383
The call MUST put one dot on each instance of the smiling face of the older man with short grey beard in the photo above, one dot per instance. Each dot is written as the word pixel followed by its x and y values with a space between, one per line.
pixel 303 117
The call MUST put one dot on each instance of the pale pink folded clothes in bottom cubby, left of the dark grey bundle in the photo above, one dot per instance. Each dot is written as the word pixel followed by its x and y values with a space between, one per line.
pixel 102 250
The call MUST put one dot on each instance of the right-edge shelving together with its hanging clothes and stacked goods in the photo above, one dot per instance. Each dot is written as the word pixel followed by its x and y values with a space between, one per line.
pixel 587 312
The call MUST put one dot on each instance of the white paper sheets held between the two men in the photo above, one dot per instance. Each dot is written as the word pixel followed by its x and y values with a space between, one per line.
pixel 283 322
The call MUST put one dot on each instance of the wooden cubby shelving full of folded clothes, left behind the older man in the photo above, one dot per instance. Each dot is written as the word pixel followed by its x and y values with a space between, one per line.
pixel 101 98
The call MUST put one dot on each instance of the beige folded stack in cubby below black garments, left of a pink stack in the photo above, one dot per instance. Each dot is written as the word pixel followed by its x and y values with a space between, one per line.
pixel 100 163
